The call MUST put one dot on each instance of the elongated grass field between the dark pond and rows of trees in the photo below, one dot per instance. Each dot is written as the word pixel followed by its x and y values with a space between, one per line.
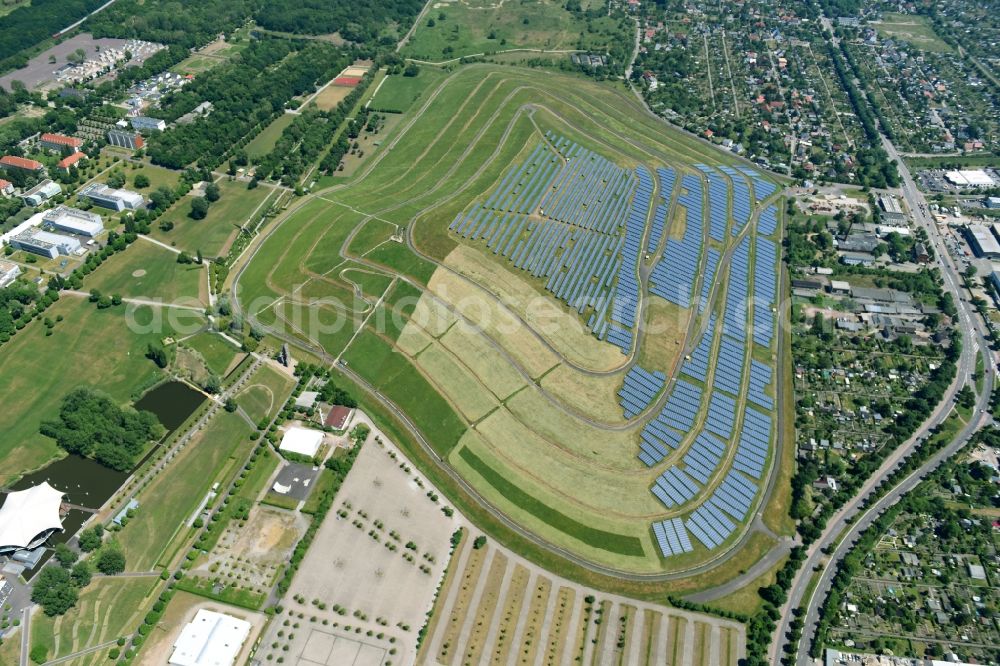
pixel 170 500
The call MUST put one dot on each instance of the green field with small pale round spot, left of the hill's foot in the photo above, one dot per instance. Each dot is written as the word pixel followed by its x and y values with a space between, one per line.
pixel 148 271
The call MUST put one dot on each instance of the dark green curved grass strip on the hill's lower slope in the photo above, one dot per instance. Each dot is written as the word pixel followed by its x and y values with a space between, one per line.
pixel 616 543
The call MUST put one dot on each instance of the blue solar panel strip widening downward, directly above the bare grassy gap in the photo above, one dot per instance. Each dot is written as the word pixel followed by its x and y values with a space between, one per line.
pixel 673 277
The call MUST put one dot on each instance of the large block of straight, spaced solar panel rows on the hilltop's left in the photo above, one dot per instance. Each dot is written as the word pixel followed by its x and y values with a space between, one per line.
pixel 559 216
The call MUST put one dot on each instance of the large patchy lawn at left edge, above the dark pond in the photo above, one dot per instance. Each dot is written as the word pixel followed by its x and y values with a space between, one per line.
pixel 95 347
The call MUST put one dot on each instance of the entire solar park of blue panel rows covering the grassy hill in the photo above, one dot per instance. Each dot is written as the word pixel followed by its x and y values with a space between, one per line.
pixel 578 221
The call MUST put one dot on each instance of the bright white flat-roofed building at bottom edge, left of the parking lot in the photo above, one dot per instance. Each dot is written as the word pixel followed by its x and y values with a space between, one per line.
pixel 210 639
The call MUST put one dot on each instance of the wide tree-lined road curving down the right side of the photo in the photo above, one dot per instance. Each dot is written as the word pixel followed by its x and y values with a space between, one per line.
pixel 974 343
